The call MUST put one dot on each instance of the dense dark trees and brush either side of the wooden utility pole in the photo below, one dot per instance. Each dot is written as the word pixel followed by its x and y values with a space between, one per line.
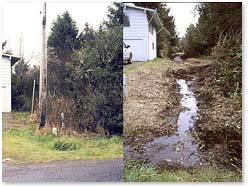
pixel 84 76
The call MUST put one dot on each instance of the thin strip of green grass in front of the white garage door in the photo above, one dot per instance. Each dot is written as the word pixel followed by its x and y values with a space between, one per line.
pixel 158 62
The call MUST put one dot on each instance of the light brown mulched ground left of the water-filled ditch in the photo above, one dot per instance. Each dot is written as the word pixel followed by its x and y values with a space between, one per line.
pixel 151 109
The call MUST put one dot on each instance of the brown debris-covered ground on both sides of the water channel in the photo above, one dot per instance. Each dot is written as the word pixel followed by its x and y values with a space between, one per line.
pixel 152 107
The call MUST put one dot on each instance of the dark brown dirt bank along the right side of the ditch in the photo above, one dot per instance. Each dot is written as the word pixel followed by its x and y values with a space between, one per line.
pixel 219 128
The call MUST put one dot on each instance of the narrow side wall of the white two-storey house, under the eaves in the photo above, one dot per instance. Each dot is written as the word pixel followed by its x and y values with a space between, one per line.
pixel 152 43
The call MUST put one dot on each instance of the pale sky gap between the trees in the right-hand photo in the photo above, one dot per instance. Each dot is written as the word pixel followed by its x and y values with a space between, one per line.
pixel 184 16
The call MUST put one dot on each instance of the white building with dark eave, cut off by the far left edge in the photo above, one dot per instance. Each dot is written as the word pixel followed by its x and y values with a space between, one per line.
pixel 7 62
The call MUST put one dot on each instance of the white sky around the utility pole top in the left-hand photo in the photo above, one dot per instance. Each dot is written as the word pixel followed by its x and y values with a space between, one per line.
pixel 23 20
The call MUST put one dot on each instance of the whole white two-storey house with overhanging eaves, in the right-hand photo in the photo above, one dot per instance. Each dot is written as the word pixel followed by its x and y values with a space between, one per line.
pixel 139 31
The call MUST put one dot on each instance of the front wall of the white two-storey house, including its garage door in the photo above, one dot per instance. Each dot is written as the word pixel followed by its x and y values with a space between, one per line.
pixel 137 34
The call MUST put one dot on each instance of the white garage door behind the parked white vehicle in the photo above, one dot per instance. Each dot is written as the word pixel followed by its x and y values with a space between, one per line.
pixel 137 49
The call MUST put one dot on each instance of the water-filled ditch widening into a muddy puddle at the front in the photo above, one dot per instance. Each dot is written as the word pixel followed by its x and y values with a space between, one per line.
pixel 180 149
